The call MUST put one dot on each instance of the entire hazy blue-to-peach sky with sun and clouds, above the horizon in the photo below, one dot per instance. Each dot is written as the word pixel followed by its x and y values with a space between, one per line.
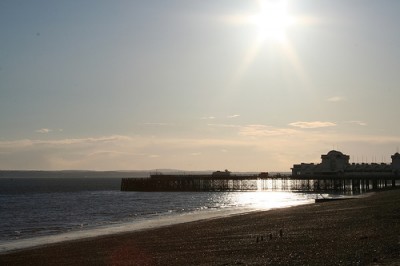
pixel 197 85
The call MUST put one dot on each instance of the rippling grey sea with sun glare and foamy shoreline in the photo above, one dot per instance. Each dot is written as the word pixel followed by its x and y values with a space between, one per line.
pixel 42 210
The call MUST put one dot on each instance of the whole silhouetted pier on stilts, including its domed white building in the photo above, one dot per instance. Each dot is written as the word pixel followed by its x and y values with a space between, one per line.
pixel 333 174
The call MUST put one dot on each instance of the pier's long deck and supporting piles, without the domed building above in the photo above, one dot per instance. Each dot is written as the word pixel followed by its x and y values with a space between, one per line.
pixel 259 183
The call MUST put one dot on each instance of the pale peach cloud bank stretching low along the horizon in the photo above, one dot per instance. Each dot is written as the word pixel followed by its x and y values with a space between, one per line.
pixel 244 148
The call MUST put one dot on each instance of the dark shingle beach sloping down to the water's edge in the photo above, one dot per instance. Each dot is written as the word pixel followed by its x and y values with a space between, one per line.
pixel 361 231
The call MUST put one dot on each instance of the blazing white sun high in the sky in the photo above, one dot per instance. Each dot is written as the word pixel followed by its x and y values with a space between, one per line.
pixel 272 20
